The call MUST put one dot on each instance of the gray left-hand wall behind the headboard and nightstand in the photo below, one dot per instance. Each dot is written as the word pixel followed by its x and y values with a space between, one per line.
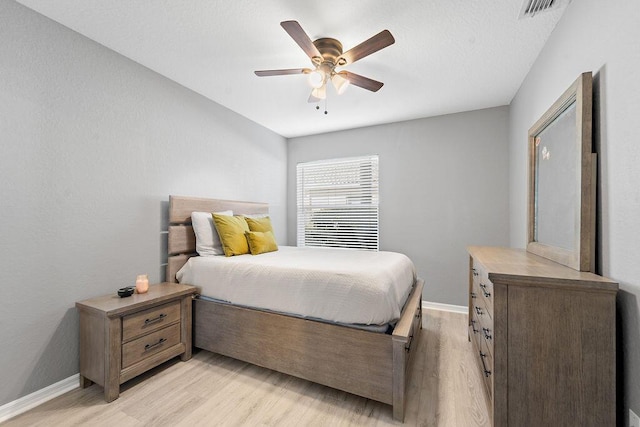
pixel 92 146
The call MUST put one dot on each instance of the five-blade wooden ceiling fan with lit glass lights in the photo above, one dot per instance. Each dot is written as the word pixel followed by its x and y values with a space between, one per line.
pixel 326 54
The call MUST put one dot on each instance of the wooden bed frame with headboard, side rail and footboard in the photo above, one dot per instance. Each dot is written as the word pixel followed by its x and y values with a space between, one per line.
pixel 369 364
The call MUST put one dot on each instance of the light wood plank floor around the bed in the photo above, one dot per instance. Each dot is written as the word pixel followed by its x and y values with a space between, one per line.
pixel 212 390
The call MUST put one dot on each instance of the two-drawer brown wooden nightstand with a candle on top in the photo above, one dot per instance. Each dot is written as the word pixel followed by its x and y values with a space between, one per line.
pixel 121 338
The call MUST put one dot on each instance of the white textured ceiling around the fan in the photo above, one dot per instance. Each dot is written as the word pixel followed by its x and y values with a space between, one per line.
pixel 449 56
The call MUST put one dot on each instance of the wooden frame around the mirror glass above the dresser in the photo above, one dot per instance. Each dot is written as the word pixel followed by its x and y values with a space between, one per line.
pixel 582 256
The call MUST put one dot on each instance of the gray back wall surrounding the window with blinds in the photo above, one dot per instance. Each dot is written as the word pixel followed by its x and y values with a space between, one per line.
pixel 443 186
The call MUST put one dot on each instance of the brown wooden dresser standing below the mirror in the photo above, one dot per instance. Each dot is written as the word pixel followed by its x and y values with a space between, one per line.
pixel 544 339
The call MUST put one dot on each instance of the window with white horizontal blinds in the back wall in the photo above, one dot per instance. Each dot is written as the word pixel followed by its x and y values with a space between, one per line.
pixel 338 203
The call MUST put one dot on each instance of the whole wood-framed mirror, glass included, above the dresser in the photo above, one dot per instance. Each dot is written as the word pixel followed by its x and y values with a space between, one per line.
pixel 562 180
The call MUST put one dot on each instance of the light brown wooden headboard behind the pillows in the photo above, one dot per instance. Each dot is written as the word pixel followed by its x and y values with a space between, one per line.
pixel 182 240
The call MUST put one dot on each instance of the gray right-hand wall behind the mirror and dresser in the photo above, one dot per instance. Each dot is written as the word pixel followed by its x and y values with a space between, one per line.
pixel 602 37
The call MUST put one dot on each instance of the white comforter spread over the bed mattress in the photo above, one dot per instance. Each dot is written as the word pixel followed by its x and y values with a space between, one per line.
pixel 338 285
